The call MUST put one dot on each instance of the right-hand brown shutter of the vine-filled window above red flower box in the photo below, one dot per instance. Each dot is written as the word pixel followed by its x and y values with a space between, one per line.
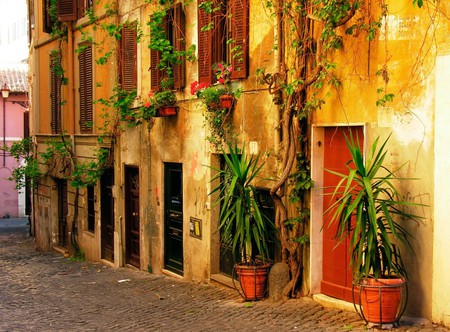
pixel 179 43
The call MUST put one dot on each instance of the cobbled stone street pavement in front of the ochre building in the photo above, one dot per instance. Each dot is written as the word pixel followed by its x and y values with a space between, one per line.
pixel 47 292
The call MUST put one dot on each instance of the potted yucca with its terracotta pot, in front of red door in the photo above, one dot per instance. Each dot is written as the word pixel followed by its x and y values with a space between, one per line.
pixel 367 210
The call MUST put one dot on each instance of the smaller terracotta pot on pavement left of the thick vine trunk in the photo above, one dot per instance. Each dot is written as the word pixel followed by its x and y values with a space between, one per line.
pixel 253 280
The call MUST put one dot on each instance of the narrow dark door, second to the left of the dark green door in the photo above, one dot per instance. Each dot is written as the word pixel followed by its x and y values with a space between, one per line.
pixel 107 215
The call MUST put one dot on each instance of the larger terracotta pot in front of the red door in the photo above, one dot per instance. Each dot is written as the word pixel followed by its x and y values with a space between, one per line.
pixel 381 299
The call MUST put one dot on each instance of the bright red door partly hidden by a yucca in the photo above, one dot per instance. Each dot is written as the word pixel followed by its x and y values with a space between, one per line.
pixel 337 276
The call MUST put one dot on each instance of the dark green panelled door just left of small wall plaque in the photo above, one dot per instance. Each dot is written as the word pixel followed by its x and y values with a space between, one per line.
pixel 173 218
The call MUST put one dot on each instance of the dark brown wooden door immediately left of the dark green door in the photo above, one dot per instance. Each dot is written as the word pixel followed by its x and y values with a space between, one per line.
pixel 132 219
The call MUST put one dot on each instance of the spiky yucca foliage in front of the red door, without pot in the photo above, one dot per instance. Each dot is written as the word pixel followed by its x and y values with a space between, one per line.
pixel 369 209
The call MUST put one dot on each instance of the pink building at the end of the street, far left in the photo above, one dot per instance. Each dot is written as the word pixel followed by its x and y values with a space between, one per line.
pixel 13 127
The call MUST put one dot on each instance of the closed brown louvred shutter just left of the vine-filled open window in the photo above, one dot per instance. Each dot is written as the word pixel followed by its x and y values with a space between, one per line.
pixel 128 59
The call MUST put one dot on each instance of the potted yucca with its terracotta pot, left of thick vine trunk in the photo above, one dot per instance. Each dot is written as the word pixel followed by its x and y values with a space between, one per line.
pixel 242 225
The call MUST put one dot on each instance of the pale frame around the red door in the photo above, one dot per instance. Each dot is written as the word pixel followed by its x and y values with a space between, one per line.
pixel 316 237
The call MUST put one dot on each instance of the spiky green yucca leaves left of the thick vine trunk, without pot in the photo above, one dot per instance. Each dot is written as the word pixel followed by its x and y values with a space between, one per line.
pixel 242 224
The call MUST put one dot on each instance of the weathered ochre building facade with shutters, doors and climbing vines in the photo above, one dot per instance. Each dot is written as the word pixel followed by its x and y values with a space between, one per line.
pixel 150 208
